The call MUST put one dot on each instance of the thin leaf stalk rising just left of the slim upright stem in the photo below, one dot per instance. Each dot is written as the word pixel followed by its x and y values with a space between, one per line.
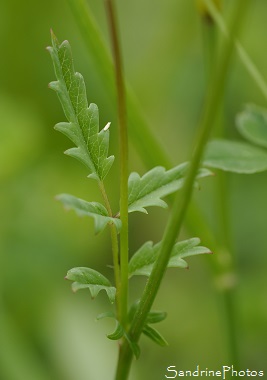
pixel 115 249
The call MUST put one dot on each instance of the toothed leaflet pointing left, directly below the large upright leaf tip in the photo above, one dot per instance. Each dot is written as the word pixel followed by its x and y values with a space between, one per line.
pixel 93 209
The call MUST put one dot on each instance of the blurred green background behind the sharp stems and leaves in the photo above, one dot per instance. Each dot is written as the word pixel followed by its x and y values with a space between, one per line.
pixel 45 331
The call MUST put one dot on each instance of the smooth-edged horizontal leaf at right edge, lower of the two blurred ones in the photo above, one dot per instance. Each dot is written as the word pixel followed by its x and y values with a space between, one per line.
pixel 237 157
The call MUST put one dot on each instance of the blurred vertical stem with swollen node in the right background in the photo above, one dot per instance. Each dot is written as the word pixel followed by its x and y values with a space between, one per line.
pixel 222 245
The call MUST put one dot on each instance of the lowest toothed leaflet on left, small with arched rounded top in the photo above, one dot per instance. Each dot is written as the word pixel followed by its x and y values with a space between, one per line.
pixel 89 278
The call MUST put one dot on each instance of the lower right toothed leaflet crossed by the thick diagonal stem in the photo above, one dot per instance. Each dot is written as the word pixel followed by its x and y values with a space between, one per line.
pixel 143 260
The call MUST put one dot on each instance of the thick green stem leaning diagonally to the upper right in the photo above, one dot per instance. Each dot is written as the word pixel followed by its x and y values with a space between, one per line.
pixel 180 205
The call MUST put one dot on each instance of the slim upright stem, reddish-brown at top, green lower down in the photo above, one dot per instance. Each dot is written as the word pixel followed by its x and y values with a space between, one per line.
pixel 123 138
